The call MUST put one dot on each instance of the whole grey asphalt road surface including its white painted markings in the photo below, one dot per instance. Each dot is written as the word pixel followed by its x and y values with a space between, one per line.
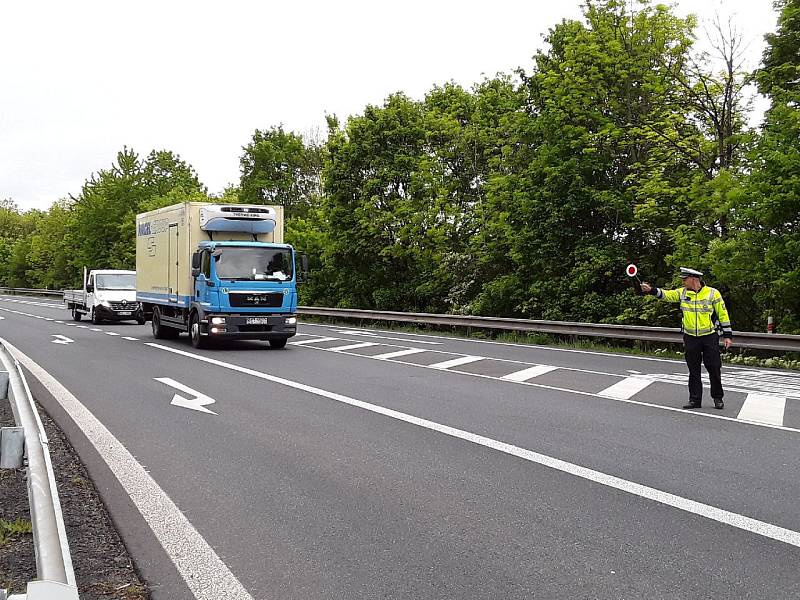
pixel 369 464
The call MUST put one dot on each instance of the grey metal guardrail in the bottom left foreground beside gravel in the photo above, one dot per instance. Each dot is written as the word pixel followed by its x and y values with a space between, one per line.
pixel 55 575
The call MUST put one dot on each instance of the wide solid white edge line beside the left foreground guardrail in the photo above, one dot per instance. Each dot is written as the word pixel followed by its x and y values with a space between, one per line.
pixel 203 571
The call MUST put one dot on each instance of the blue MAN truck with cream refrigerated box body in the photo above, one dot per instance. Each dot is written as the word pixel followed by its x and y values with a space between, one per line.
pixel 217 271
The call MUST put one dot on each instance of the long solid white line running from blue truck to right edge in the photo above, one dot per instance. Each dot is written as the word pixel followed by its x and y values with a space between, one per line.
pixel 742 522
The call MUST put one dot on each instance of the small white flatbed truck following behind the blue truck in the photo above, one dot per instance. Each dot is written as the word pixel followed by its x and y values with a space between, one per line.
pixel 107 295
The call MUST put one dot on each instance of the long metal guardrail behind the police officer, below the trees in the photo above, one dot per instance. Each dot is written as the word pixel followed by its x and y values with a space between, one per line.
pixel 744 339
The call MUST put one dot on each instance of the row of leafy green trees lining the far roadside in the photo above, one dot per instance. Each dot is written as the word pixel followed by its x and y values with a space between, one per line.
pixel 524 195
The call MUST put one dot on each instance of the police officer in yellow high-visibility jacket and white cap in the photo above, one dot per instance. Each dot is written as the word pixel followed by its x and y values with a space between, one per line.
pixel 700 304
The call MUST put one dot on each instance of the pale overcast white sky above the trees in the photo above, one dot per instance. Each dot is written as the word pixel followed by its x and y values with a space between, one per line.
pixel 81 79
